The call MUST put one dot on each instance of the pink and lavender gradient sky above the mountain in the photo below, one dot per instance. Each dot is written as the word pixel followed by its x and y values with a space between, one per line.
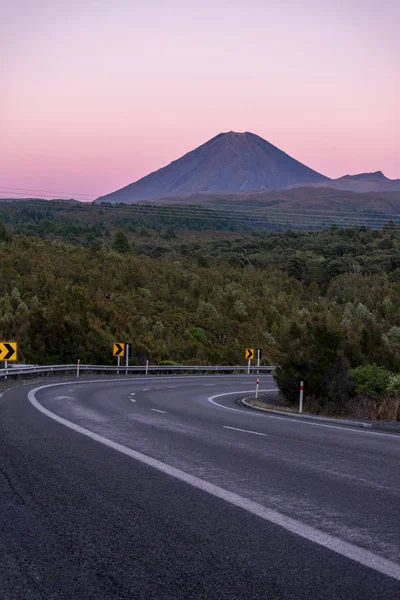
pixel 97 93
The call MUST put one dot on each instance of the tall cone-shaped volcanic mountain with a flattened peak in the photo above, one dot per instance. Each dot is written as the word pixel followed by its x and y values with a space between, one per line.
pixel 229 163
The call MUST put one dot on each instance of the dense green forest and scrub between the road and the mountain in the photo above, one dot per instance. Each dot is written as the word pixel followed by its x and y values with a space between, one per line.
pixel 323 305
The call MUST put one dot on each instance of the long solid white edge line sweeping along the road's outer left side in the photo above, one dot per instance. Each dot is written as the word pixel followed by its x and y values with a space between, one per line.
pixel 350 551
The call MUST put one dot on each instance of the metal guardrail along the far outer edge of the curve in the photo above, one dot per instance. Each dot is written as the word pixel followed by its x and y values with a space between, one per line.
pixel 132 370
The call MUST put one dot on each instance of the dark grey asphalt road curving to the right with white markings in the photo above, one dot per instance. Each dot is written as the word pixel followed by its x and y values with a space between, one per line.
pixel 166 488
